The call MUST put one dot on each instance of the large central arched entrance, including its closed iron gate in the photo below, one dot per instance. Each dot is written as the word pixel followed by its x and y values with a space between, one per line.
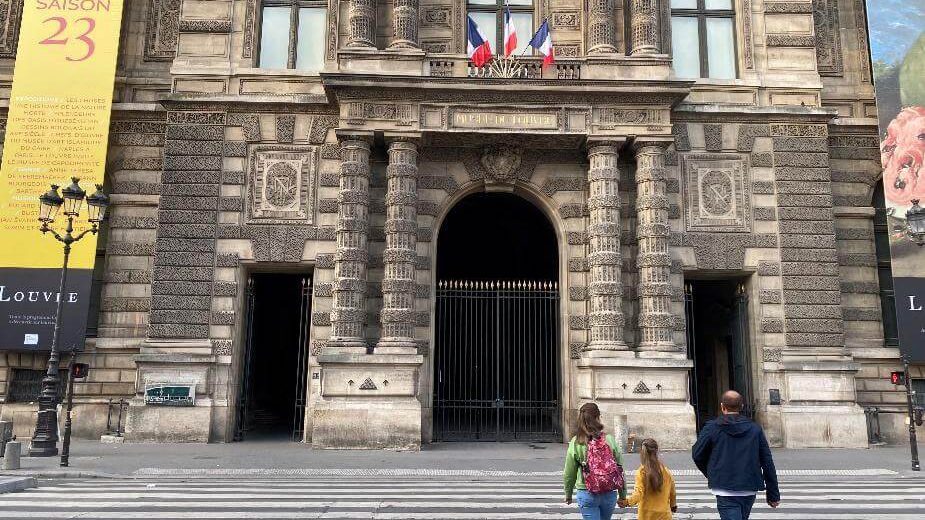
pixel 496 361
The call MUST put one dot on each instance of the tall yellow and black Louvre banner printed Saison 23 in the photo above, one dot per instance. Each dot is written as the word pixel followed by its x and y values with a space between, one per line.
pixel 58 128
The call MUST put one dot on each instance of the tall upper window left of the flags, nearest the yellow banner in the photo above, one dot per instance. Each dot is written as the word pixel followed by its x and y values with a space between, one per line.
pixel 292 34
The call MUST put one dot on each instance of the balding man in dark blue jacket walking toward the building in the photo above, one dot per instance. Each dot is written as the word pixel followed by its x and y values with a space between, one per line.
pixel 734 455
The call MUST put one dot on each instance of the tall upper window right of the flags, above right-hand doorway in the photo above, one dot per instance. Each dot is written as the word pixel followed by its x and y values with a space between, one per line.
pixel 703 38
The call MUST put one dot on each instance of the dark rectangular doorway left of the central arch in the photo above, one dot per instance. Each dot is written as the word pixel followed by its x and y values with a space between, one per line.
pixel 271 402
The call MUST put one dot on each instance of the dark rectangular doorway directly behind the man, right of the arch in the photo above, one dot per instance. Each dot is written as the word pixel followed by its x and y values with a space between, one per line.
pixel 717 338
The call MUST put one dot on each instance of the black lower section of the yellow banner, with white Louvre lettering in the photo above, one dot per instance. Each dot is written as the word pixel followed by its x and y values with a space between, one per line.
pixel 28 303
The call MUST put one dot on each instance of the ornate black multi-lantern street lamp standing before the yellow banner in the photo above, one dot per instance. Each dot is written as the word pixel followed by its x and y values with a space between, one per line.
pixel 45 438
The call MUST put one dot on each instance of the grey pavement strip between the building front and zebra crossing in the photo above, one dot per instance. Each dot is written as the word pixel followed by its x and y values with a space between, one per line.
pixel 256 458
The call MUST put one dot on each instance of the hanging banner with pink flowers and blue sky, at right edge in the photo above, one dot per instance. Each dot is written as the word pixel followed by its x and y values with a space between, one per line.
pixel 897 43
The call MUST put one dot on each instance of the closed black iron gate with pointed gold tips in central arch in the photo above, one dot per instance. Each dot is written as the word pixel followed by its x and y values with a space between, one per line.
pixel 497 361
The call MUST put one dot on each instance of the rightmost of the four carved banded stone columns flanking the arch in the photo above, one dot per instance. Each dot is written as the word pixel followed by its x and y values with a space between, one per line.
pixel 653 260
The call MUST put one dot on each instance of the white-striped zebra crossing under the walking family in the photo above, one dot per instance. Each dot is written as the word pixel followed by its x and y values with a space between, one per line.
pixel 881 498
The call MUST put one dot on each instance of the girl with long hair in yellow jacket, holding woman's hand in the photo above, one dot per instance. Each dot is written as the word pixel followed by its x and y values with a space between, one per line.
pixel 654 491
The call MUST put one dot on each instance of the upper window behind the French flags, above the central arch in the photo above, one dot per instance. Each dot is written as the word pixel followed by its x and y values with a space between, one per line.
pixel 489 16
